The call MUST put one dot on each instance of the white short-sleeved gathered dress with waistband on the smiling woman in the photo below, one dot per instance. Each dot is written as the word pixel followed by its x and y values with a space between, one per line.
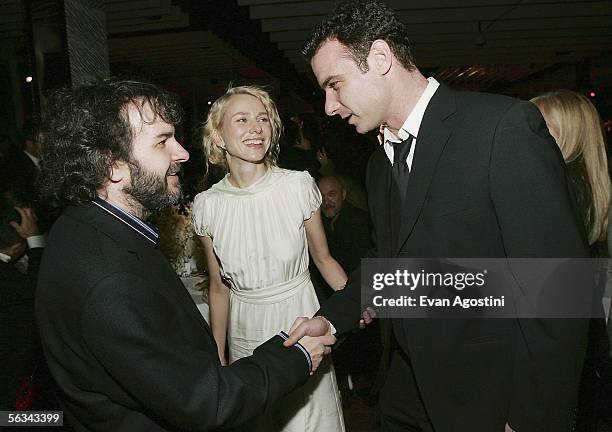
pixel 259 237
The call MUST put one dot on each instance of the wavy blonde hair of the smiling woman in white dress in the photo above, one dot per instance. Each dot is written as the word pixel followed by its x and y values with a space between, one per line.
pixel 214 121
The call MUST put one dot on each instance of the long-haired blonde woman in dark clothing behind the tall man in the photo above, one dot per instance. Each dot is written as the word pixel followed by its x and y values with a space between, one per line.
pixel 575 125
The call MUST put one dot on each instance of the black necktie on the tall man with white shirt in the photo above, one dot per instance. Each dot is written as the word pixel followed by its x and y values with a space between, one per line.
pixel 399 183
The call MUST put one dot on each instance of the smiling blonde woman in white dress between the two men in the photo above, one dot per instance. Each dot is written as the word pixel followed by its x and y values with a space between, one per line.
pixel 257 225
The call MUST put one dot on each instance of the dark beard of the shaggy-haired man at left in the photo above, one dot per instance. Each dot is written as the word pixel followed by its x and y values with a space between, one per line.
pixel 150 190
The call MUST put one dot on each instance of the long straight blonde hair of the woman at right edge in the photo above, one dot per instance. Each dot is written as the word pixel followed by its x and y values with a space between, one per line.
pixel 575 125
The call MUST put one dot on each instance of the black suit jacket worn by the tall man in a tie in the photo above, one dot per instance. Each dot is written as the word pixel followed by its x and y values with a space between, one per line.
pixel 487 181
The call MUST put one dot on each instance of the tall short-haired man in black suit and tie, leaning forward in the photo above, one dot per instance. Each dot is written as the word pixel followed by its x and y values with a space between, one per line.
pixel 478 176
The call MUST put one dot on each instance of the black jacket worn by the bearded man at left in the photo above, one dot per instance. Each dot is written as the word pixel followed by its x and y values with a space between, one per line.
pixel 128 347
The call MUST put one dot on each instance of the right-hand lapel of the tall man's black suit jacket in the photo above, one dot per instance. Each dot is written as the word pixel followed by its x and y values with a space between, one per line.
pixel 434 133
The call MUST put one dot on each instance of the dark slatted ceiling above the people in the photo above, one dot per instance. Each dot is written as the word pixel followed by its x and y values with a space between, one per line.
pixel 515 47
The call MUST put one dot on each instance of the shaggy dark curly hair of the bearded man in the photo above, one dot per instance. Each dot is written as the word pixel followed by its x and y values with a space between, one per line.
pixel 85 130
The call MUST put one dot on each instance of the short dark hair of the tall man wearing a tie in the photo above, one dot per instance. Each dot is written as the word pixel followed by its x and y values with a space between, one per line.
pixel 357 24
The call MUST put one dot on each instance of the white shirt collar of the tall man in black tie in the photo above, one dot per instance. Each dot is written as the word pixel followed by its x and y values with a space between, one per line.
pixel 412 124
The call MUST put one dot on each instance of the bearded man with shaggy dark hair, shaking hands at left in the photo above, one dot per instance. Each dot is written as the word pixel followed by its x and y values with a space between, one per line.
pixel 123 339
